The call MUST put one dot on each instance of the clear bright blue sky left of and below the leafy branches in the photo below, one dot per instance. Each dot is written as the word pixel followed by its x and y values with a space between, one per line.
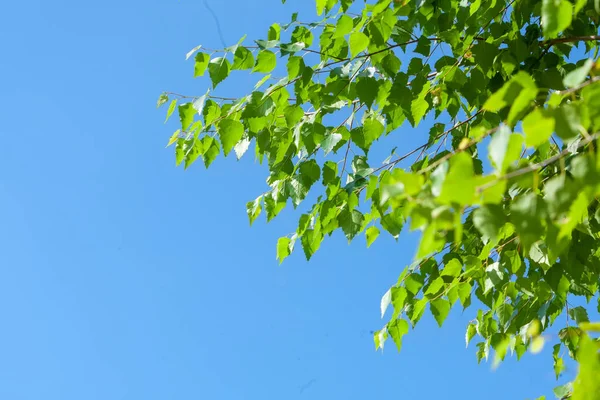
pixel 123 277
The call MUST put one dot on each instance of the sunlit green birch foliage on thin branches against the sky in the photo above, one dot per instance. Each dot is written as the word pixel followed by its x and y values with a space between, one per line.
pixel 504 187
